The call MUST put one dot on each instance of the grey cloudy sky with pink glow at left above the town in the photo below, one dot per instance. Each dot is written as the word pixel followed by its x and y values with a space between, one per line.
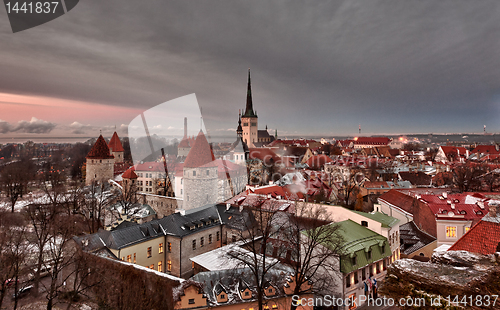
pixel 318 67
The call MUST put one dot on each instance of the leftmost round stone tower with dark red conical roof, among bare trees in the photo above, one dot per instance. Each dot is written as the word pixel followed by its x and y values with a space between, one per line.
pixel 100 162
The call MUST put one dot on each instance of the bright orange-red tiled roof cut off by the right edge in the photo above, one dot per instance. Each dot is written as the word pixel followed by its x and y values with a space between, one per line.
pixel 482 238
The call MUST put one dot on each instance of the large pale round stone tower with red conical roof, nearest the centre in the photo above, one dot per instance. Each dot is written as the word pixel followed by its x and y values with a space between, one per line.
pixel 200 175
